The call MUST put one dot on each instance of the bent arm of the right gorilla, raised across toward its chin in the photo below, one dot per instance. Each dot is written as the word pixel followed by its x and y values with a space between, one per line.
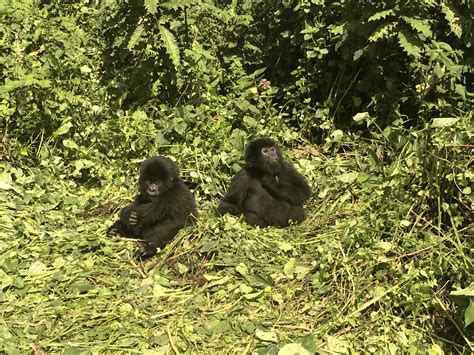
pixel 288 185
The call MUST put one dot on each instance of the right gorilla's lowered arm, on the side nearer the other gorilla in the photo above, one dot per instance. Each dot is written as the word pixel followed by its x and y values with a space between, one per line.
pixel 234 199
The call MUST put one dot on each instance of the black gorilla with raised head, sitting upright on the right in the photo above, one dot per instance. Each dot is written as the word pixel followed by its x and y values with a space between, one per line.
pixel 268 191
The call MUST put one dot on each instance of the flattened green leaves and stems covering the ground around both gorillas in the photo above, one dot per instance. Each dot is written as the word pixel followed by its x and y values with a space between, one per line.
pixel 342 281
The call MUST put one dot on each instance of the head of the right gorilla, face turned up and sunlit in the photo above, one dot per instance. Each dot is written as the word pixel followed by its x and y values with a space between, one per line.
pixel 263 155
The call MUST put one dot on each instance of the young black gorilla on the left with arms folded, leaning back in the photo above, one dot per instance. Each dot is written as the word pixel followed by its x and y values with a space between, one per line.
pixel 163 206
